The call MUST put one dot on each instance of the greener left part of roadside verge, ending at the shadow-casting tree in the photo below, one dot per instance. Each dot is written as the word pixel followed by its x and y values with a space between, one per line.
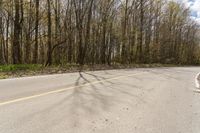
pixel 23 70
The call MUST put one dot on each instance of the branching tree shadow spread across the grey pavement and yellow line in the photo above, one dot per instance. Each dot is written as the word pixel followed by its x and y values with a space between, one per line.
pixel 88 99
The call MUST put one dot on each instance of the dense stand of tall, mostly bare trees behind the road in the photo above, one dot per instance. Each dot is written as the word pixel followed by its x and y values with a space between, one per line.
pixel 97 32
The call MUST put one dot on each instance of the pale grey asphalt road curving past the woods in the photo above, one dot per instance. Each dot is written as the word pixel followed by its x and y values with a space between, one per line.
pixel 159 100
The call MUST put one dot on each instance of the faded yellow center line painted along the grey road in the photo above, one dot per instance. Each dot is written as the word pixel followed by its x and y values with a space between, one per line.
pixel 64 89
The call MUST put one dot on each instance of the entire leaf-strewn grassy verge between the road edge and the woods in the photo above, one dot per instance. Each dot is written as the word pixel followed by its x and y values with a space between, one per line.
pixel 23 70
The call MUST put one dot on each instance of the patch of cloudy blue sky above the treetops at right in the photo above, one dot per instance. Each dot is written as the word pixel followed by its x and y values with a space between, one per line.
pixel 194 6
